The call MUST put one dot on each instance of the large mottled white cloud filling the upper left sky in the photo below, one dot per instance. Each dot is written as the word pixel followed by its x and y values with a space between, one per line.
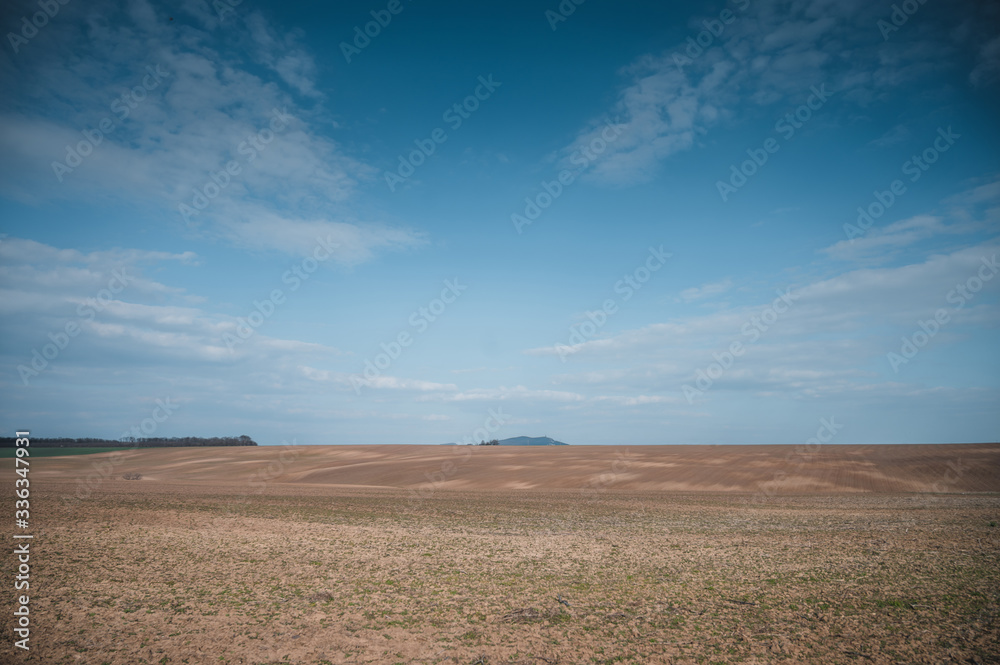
pixel 207 110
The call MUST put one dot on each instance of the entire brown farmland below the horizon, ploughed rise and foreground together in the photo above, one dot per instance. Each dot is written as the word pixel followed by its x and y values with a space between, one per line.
pixel 421 554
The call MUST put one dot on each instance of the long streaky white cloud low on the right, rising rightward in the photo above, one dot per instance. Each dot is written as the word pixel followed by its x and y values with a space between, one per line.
pixel 832 339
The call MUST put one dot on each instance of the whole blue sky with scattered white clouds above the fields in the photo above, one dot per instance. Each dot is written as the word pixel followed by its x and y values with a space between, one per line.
pixel 629 223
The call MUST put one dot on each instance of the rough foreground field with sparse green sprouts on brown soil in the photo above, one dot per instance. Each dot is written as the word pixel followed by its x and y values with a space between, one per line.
pixel 649 578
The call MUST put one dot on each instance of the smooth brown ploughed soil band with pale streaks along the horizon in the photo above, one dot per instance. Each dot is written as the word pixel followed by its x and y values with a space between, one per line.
pixel 768 469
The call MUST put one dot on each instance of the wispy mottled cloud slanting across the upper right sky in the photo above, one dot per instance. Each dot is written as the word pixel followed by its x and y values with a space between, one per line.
pixel 773 53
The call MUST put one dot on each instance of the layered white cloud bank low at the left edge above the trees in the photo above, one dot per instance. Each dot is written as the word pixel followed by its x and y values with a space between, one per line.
pixel 121 313
